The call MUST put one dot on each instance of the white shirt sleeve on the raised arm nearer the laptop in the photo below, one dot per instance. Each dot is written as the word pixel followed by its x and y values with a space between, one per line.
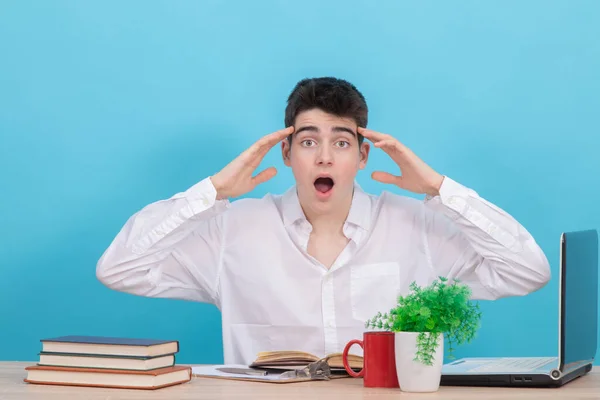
pixel 474 241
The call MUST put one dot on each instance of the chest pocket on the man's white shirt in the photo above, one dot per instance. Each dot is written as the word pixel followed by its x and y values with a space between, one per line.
pixel 374 288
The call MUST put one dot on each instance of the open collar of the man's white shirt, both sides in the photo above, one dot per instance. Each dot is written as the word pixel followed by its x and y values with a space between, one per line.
pixel 359 215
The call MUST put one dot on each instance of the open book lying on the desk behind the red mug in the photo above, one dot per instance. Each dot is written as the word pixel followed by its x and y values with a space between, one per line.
pixel 300 359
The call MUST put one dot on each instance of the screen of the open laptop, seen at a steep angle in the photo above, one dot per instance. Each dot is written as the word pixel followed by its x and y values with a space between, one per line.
pixel 579 297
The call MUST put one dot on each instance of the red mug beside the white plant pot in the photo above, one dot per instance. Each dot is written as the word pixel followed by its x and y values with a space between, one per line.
pixel 379 365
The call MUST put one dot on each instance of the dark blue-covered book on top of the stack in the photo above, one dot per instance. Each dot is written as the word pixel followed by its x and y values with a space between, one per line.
pixel 111 346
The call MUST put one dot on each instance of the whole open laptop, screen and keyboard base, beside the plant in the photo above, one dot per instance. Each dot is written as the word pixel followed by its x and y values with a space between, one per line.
pixel 577 329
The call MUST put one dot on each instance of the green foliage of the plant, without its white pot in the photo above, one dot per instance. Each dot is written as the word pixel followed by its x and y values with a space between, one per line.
pixel 442 308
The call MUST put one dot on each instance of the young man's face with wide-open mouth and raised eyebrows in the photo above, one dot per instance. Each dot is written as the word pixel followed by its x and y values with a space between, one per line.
pixel 325 157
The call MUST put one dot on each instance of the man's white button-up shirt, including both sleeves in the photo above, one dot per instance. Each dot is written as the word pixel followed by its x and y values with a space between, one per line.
pixel 249 258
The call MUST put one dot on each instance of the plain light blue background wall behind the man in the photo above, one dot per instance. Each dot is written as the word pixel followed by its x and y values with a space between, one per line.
pixel 107 106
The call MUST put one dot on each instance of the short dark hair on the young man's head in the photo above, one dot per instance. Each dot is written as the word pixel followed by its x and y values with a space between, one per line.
pixel 331 95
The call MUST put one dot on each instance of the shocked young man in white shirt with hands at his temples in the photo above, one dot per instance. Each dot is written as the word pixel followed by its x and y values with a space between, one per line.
pixel 304 270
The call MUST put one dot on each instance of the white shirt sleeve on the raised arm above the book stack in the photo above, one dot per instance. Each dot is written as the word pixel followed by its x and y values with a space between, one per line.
pixel 171 248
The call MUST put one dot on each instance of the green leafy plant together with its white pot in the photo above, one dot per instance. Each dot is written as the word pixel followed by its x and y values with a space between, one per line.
pixel 421 320
